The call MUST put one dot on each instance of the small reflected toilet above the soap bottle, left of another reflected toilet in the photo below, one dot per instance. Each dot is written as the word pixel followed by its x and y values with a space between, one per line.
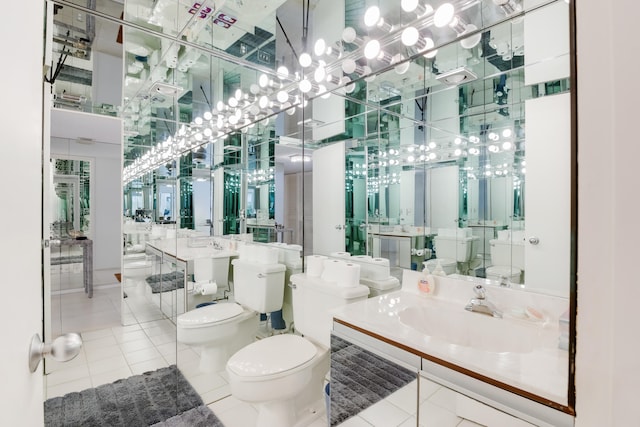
pixel 455 249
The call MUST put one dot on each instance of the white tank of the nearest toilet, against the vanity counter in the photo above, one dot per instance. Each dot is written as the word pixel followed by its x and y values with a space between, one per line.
pixel 313 299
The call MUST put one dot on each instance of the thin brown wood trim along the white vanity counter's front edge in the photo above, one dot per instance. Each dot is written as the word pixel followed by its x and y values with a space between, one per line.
pixel 499 384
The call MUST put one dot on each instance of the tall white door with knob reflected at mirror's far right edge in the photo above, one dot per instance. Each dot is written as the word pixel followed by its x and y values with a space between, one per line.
pixel 548 194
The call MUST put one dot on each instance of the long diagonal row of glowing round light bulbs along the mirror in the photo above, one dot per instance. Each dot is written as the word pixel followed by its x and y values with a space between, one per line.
pixel 271 96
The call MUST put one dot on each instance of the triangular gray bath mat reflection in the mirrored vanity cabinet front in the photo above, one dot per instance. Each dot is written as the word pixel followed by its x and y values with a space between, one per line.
pixel 360 378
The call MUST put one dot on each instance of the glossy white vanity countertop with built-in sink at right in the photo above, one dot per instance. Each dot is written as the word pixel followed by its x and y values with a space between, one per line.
pixel 522 354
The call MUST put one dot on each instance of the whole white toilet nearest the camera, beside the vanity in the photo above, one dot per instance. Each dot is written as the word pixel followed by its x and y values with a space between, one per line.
pixel 283 375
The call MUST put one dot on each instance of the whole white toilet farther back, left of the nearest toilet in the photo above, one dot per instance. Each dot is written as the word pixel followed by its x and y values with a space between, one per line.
pixel 222 329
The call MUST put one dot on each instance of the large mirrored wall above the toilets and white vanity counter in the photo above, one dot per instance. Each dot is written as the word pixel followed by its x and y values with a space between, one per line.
pixel 446 145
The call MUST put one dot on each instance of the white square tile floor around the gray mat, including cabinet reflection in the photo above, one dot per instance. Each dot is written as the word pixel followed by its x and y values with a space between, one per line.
pixel 112 351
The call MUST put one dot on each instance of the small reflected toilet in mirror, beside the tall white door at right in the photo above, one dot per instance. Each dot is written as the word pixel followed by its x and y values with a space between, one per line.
pixel 507 257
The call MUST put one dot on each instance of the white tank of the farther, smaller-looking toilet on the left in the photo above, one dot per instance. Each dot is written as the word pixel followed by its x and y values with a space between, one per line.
pixel 259 287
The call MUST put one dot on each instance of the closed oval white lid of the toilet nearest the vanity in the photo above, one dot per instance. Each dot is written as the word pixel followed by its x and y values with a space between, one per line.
pixel 271 356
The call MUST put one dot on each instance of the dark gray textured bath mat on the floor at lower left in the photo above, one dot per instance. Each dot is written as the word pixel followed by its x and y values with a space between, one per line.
pixel 140 400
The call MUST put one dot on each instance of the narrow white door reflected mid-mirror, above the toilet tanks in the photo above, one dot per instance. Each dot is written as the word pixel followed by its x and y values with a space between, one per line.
pixel 328 199
